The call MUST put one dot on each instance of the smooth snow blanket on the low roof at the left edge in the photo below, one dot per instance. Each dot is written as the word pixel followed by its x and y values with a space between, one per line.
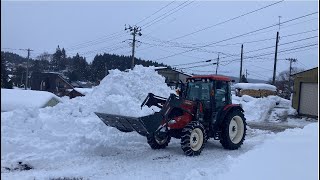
pixel 18 99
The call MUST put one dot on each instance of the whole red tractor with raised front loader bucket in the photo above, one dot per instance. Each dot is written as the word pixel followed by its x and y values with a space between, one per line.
pixel 202 110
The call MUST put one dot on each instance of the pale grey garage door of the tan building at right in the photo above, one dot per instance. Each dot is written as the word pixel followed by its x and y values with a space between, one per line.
pixel 309 99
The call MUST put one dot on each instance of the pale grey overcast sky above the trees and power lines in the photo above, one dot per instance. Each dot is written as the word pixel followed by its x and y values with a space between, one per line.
pixel 96 27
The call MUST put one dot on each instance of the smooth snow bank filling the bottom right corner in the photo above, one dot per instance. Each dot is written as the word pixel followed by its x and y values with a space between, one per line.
pixel 292 155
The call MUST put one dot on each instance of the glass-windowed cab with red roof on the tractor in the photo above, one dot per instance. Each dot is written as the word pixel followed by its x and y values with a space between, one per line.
pixel 214 92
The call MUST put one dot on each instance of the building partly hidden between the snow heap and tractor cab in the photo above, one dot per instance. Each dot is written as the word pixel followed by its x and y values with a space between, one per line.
pixel 172 76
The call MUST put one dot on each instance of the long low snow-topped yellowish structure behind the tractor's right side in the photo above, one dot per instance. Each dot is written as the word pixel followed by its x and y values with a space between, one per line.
pixel 255 89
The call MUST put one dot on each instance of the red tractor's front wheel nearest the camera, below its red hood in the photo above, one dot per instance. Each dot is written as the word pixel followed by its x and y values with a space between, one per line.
pixel 193 139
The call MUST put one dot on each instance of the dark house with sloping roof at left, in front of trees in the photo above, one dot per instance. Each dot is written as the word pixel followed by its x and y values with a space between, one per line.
pixel 50 81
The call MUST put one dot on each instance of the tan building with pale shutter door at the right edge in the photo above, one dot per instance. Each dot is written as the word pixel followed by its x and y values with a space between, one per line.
pixel 305 92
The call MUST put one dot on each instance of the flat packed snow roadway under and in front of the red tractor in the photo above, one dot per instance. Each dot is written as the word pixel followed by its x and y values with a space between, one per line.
pixel 134 159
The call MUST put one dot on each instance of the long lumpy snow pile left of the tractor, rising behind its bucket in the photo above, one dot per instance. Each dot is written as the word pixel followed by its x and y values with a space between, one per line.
pixel 43 136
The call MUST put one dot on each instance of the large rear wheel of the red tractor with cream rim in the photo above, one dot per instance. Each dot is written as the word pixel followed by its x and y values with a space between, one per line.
pixel 233 130
